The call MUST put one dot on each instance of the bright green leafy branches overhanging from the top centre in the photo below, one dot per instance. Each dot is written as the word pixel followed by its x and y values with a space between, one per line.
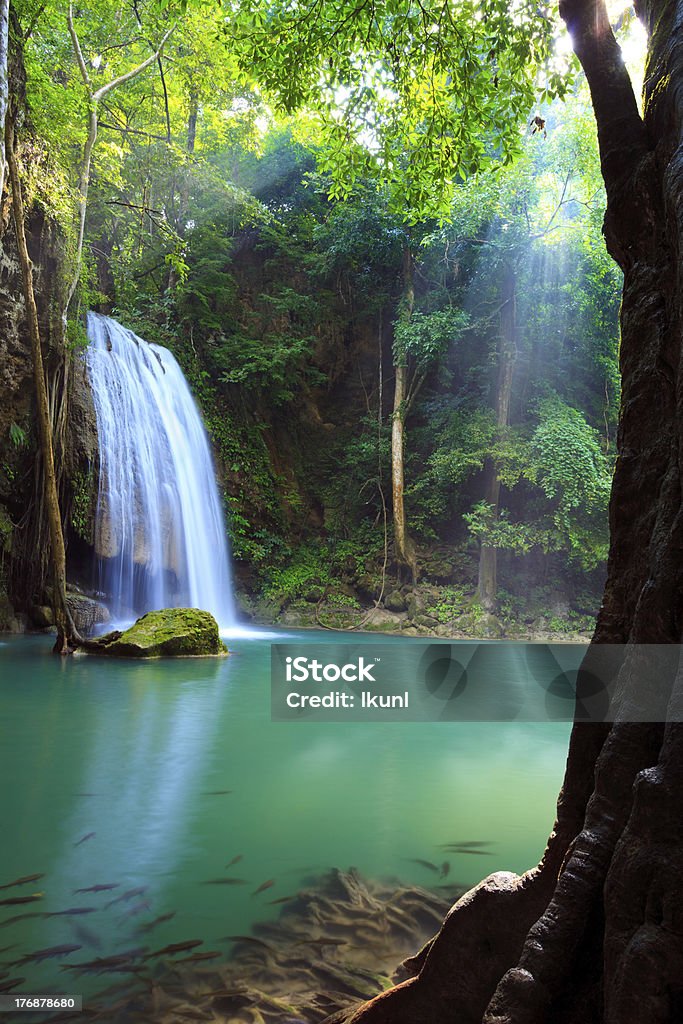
pixel 415 94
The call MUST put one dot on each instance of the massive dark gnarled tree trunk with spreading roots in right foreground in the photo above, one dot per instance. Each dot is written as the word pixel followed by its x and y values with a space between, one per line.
pixel 595 934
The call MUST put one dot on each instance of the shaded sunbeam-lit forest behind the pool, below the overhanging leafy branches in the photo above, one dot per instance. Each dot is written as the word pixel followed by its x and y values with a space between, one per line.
pixel 219 230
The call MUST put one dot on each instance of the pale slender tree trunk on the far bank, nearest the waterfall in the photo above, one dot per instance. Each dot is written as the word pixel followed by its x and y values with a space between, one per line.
pixel 404 549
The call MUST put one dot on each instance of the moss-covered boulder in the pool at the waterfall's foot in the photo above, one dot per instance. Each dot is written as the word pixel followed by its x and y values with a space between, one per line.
pixel 169 633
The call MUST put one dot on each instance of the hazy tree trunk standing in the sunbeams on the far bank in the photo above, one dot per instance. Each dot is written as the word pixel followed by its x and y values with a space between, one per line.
pixel 507 356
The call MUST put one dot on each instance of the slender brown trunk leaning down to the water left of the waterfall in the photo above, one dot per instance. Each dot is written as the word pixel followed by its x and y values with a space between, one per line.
pixel 67 633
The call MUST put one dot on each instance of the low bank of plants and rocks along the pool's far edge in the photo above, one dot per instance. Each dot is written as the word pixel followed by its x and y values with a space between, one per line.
pixel 365 595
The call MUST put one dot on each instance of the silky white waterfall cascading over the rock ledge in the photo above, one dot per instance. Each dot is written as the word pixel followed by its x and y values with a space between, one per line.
pixel 160 535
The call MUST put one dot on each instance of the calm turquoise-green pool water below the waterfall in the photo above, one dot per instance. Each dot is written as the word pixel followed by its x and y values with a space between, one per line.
pixel 140 754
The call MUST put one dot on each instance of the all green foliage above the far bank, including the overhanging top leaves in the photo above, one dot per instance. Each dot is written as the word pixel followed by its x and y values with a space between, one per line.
pixel 253 197
